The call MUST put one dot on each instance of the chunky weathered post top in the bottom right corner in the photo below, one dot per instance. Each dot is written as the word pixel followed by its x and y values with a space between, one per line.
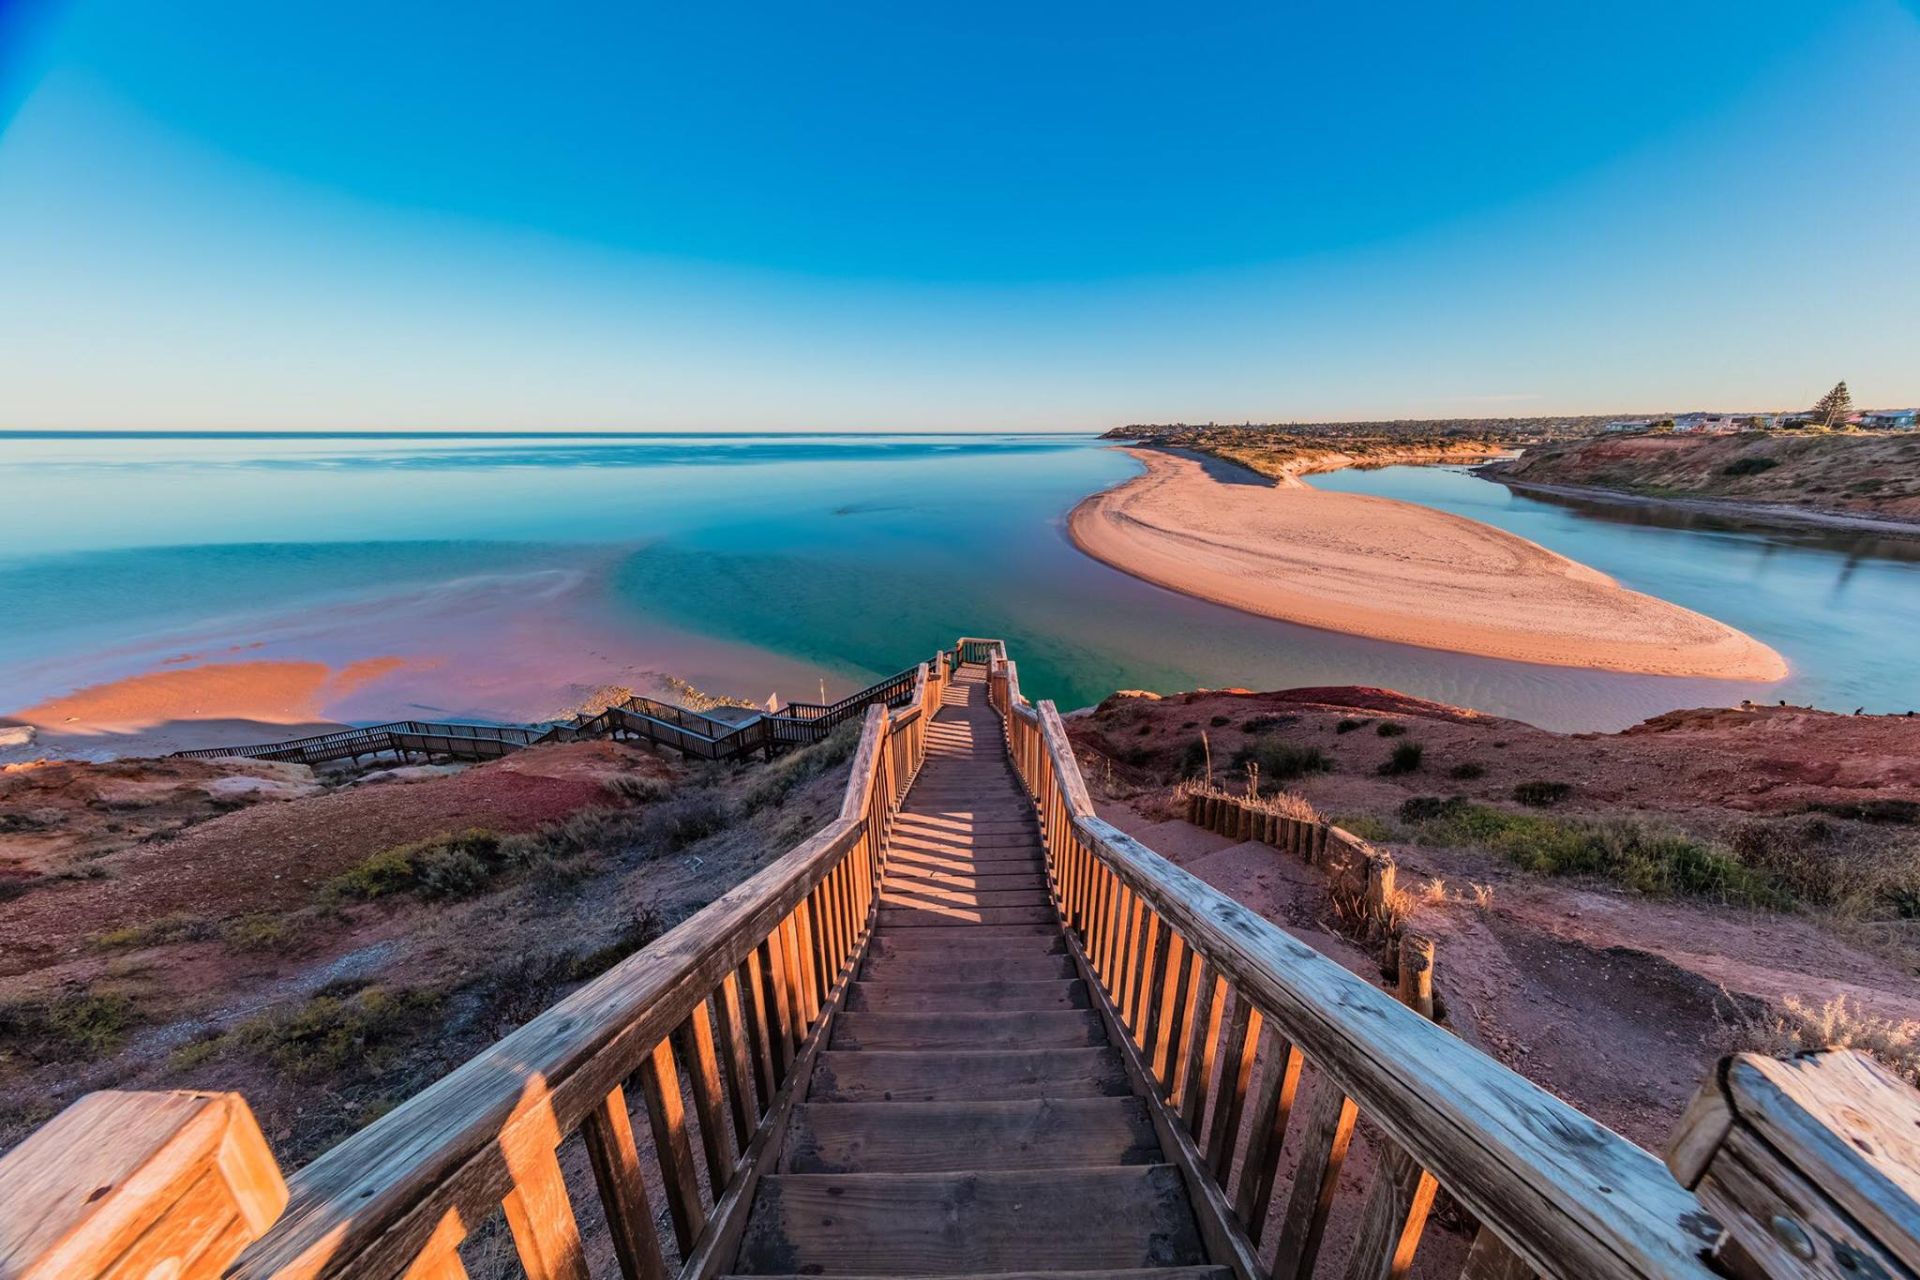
pixel 1812 1164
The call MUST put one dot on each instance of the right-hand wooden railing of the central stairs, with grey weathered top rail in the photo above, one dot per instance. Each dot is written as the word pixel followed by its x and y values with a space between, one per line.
pixel 1197 985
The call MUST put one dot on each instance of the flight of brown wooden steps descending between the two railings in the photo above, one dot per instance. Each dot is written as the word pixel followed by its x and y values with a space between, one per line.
pixel 969 1114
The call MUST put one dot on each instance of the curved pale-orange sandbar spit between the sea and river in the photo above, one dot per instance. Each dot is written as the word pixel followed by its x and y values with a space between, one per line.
pixel 1399 573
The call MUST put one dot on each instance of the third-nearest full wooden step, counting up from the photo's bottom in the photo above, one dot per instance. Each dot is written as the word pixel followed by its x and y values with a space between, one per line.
pixel 1013 1076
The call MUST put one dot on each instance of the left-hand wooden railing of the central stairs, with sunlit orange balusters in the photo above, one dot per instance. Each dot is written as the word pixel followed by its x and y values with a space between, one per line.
pixel 773 951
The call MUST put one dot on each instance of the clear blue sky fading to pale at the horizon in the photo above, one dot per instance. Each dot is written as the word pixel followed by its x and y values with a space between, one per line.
pixel 992 216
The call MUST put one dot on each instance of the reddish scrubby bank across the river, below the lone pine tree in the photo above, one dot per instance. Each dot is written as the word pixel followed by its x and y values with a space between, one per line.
pixel 1863 475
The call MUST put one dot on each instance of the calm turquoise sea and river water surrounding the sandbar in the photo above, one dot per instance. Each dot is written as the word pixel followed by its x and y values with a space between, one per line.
pixel 848 556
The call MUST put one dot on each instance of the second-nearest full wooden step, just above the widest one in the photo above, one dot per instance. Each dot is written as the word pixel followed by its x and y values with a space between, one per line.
pixel 949 1137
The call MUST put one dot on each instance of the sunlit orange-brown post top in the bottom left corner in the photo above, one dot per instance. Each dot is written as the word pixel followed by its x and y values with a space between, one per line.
pixel 137 1185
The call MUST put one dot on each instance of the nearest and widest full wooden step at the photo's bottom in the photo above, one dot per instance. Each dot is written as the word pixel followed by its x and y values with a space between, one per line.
pixel 942 1223
